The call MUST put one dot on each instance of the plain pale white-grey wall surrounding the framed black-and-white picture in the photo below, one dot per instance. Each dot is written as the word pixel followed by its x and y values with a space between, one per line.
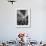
pixel 8 30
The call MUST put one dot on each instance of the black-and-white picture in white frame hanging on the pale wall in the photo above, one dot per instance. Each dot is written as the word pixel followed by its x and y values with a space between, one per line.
pixel 23 17
